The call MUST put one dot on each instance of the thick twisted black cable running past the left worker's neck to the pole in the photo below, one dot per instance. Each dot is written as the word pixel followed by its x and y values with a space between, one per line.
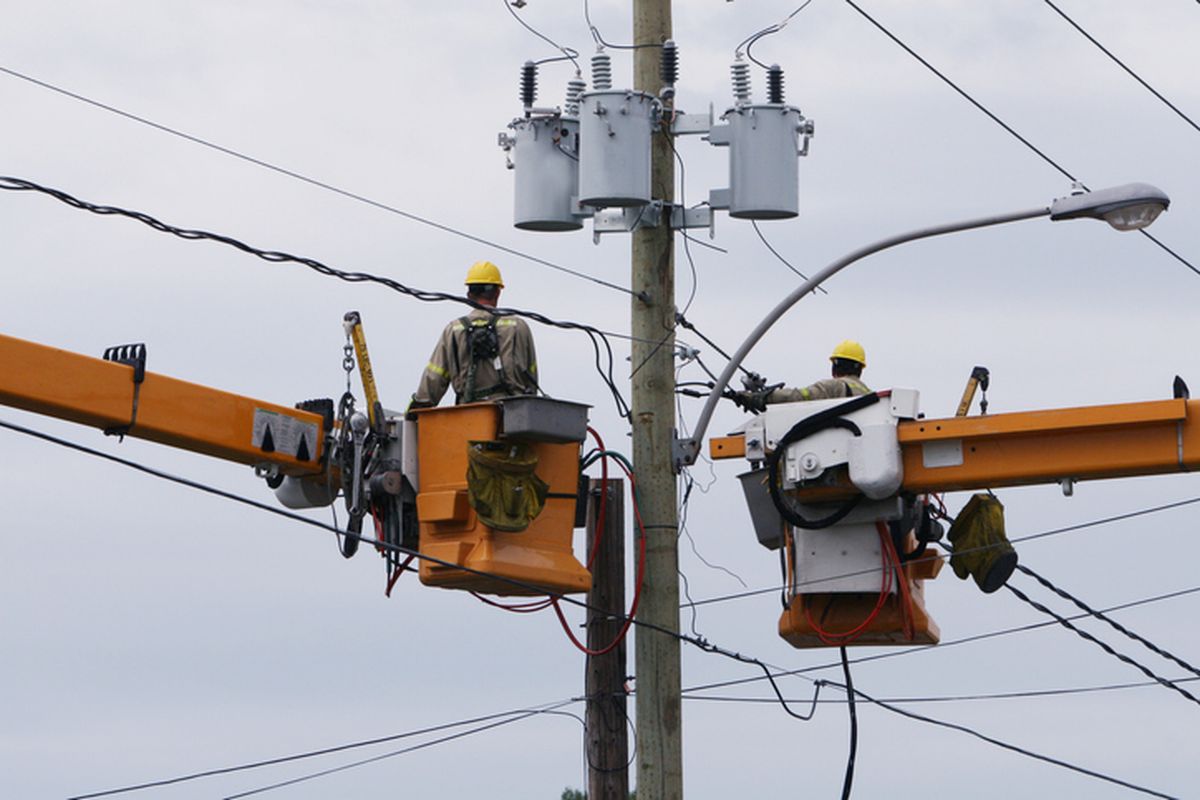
pixel 604 364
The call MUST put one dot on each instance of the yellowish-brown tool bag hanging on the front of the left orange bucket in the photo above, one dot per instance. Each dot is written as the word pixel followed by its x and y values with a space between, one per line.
pixel 502 486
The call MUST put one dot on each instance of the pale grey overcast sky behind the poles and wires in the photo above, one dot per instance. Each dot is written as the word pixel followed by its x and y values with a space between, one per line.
pixel 152 631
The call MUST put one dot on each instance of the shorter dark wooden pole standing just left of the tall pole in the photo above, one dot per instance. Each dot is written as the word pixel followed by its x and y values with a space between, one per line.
pixel 607 709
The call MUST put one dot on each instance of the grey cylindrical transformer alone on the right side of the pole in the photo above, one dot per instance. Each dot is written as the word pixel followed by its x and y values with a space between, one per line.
pixel 764 161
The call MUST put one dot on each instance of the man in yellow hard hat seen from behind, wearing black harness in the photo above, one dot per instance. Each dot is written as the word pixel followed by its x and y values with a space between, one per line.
pixel 483 356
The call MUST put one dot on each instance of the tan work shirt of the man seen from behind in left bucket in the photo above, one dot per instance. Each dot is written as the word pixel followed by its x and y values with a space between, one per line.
pixel 451 363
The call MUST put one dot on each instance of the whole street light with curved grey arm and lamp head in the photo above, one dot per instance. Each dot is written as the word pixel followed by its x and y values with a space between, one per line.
pixel 1131 207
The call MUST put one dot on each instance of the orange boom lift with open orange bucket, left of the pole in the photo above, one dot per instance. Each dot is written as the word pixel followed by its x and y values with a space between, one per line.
pixel 377 461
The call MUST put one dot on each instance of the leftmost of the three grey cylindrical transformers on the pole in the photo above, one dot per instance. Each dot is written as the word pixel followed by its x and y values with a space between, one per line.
pixel 545 163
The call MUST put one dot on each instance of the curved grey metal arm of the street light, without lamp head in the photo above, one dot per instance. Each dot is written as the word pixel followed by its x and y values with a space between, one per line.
pixel 689 449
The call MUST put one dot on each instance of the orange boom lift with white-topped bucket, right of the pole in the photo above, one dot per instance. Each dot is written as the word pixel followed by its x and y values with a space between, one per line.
pixel 842 488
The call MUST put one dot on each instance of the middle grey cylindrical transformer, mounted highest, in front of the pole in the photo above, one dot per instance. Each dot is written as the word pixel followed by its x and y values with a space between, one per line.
pixel 615 148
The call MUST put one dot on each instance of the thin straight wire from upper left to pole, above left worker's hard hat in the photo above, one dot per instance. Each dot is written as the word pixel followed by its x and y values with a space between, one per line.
pixel 314 182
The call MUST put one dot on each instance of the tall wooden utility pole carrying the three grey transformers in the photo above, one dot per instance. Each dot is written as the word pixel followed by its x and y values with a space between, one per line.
pixel 659 725
